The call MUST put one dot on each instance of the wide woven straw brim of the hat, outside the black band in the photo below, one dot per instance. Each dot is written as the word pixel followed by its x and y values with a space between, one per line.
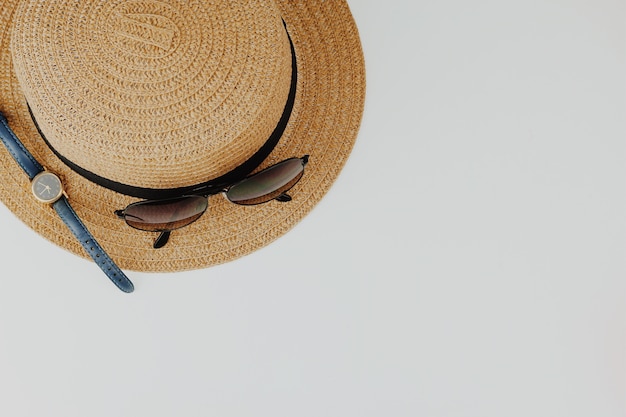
pixel 324 124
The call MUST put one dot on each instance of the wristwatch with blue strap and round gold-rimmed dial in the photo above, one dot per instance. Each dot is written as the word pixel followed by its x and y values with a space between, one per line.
pixel 48 189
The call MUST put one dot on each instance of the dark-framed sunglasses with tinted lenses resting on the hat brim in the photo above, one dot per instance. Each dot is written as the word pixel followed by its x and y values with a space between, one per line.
pixel 164 216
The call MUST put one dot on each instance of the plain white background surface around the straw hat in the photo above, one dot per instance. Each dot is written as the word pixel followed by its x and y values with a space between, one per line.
pixel 469 261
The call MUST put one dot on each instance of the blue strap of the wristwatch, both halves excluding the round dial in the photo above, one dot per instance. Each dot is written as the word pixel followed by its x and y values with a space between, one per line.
pixel 30 165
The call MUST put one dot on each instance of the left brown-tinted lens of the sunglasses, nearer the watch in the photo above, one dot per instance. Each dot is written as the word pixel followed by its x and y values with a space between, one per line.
pixel 155 216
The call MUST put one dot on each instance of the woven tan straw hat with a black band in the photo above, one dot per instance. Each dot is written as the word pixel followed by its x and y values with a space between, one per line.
pixel 171 93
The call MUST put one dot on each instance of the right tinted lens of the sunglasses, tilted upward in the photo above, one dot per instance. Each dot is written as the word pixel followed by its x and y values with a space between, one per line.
pixel 267 184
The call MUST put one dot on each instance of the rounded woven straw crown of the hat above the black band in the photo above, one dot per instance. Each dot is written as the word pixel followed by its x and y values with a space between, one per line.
pixel 156 94
